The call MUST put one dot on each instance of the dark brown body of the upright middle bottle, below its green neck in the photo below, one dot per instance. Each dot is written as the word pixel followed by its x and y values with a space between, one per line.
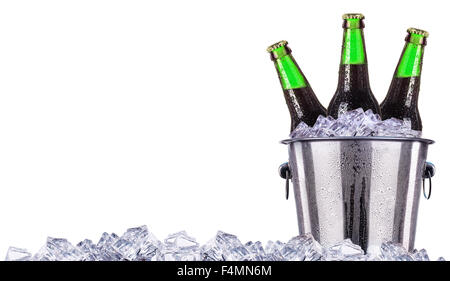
pixel 353 91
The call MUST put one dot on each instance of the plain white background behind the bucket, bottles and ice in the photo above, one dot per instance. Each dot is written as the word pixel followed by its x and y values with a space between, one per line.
pixel 115 114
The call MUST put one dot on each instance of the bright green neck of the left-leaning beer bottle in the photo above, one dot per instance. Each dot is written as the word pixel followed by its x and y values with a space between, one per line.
pixel 291 77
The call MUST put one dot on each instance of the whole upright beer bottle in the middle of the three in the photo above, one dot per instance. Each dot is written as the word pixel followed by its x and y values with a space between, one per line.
pixel 353 90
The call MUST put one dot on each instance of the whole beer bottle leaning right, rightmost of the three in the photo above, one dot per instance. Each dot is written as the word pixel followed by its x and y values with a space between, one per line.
pixel 401 99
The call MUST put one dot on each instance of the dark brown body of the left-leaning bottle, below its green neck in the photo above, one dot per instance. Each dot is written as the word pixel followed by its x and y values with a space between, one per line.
pixel 303 106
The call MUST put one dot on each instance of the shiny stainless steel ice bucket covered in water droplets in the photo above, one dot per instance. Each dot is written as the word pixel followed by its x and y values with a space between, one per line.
pixel 363 188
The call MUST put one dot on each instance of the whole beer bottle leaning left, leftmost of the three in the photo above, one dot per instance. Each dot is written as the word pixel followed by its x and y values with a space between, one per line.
pixel 302 103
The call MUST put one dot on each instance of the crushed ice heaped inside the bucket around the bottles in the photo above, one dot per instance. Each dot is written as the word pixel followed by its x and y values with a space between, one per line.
pixel 355 123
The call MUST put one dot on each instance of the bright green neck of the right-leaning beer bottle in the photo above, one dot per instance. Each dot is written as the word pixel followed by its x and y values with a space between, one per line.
pixel 410 63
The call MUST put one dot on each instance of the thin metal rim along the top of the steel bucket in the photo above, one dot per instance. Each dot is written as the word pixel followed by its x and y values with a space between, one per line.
pixel 400 139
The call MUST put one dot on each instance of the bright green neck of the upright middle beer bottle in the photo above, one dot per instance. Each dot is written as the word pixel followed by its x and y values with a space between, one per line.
pixel 353 49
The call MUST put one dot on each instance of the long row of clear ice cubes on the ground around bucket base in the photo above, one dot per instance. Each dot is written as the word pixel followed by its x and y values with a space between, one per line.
pixel 138 244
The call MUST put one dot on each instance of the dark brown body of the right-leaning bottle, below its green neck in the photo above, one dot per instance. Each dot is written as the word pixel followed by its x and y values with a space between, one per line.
pixel 402 101
